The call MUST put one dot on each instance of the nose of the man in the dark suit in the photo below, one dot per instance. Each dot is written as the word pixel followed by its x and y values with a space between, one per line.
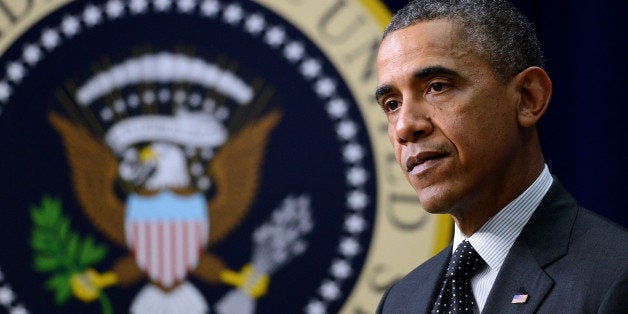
pixel 413 122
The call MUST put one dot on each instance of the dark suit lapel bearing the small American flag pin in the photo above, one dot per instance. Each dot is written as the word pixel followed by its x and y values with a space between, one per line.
pixel 543 240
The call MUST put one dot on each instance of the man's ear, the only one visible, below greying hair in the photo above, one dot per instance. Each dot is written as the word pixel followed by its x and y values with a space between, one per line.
pixel 536 89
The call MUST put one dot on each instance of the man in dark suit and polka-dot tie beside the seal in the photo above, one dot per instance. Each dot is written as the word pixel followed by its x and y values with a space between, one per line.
pixel 462 85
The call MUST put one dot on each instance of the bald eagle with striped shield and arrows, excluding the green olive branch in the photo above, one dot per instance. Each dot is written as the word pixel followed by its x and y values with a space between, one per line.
pixel 158 169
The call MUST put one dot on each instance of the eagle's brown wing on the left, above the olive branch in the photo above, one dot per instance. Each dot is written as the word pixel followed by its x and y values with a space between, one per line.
pixel 94 170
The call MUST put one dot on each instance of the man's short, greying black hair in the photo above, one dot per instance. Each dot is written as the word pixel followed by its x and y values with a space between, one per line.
pixel 494 29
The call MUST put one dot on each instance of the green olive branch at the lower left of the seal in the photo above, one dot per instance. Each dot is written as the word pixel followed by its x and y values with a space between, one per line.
pixel 60 251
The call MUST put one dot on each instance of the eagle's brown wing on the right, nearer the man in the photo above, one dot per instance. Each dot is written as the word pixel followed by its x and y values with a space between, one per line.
pixel 236 171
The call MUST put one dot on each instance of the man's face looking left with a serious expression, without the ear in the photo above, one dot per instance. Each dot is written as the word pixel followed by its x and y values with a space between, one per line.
pixel 452 124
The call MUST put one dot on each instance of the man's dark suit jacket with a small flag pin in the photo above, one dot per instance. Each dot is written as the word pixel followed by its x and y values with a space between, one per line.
pixel 567 259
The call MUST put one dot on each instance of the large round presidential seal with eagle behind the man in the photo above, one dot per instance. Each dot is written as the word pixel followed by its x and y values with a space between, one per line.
pixel 199 156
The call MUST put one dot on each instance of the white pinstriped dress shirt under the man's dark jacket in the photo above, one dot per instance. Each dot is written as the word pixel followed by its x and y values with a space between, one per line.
pixel 495 238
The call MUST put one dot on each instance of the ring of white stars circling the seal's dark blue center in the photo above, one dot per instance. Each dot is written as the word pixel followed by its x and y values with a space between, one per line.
pixel 311 68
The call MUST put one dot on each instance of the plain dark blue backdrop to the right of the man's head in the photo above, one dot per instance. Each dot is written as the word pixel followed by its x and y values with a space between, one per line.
pixel 583 133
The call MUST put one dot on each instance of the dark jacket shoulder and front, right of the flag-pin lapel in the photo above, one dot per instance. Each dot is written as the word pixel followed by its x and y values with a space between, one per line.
pixel 593 272
